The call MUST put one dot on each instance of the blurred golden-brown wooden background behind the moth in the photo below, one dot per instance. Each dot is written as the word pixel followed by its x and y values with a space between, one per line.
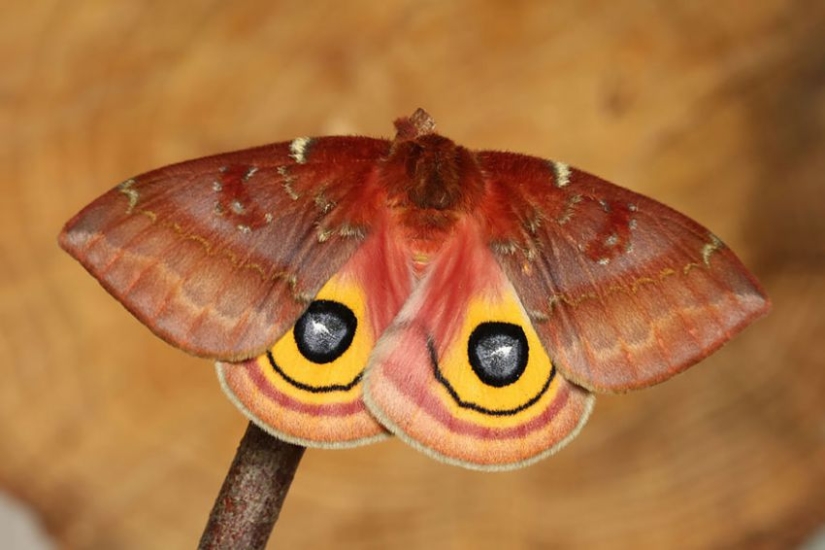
pixel 716 107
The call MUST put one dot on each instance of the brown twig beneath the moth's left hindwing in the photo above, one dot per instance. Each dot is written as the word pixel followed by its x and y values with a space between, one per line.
pixel 253 492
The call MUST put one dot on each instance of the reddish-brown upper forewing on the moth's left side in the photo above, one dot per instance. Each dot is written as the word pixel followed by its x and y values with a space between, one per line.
pixel 220 255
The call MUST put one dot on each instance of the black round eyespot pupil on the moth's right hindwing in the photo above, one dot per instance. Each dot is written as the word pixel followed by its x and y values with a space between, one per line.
pixel 498 353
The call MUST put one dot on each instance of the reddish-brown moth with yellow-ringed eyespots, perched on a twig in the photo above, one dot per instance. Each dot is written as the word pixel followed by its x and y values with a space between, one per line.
pixel 468 302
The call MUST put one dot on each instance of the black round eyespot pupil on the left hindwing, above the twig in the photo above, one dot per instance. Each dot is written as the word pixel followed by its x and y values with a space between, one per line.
pixel 325 331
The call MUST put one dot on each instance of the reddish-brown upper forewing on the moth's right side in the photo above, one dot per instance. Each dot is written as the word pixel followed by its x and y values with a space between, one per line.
pixel 623 291
